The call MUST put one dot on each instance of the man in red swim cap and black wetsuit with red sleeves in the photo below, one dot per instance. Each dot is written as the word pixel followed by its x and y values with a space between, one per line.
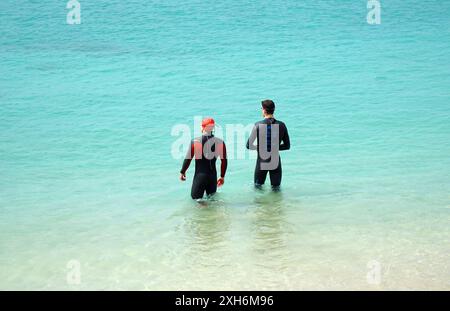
pixel 206 149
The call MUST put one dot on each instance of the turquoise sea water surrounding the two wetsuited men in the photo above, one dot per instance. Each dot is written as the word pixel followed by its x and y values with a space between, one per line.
pixel 86 172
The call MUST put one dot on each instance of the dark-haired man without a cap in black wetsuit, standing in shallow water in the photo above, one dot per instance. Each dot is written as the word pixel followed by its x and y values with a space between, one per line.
pixel 271 136
